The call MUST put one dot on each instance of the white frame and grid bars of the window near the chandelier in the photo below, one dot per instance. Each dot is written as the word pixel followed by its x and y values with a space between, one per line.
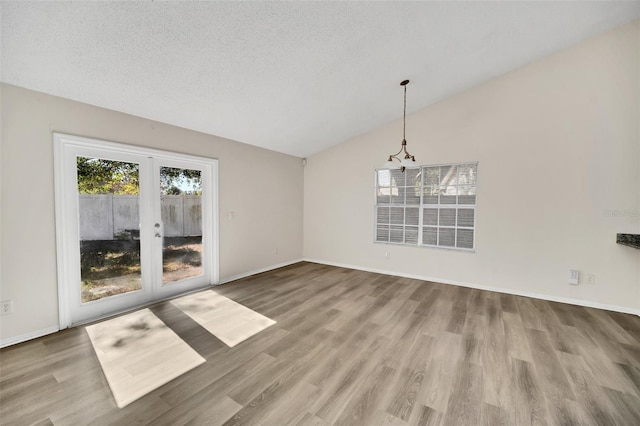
pixel 422 207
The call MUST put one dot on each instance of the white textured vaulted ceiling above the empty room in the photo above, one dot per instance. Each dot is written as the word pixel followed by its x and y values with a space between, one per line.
pixel 293 77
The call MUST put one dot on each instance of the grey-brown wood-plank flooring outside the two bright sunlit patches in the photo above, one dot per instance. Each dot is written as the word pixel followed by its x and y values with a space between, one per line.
pixel 356 348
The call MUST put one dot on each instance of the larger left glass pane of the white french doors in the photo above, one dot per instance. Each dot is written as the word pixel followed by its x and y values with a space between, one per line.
pixel 109 213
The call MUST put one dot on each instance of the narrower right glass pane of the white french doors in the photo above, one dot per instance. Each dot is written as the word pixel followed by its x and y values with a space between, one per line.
pixel 181 215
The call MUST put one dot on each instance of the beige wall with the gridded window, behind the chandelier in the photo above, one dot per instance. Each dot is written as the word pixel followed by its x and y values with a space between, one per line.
pixel 558 146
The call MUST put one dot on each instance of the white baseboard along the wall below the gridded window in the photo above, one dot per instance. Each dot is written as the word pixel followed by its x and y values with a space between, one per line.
pixel 570 301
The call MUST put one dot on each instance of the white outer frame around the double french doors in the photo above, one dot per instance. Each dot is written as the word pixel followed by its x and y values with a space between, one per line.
pixel 66 249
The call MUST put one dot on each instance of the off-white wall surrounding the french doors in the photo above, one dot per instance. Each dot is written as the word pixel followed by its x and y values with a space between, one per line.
pixel 263 189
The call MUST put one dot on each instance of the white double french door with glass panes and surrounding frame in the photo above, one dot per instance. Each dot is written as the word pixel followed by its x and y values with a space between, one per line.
pixel 133 226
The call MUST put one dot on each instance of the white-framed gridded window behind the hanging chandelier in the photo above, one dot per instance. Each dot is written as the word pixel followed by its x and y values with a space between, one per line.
pixel 431 206
